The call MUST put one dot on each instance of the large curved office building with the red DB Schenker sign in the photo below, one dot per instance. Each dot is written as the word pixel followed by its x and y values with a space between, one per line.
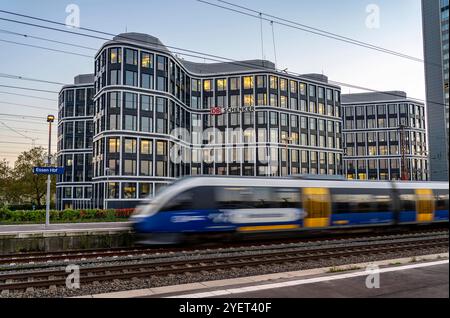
pixel 158 117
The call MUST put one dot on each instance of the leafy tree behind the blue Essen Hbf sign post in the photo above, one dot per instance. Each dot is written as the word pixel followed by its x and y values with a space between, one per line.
pixel 29 187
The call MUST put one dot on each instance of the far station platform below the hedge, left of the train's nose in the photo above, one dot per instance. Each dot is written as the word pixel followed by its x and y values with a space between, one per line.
pixel 64 237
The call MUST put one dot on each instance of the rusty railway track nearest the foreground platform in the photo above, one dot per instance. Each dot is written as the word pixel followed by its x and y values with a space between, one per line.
pixel 57 277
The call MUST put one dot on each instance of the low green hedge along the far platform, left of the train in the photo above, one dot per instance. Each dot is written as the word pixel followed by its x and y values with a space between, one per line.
pixel 38 216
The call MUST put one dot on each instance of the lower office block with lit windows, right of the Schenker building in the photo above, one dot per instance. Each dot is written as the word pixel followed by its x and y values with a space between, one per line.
pixel 375 144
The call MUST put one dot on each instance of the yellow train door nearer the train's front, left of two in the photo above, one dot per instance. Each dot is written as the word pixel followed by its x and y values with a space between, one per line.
pixel 317 206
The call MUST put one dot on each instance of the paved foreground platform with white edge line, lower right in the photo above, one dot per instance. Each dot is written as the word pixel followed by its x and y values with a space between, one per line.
pixel 421 277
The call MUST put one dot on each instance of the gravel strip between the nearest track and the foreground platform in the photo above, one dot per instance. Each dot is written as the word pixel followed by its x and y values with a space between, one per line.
pixel 123 285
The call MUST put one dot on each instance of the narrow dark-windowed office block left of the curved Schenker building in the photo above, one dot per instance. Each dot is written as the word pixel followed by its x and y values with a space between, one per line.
pixel 75 135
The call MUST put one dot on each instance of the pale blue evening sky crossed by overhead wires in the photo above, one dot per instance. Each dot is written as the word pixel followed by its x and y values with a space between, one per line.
pixel 190 24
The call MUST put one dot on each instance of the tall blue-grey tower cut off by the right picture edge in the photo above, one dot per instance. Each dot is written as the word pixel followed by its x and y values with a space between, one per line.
pixel 435 15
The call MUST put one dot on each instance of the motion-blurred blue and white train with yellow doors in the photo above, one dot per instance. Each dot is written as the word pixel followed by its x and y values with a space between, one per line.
pixel 232 206
